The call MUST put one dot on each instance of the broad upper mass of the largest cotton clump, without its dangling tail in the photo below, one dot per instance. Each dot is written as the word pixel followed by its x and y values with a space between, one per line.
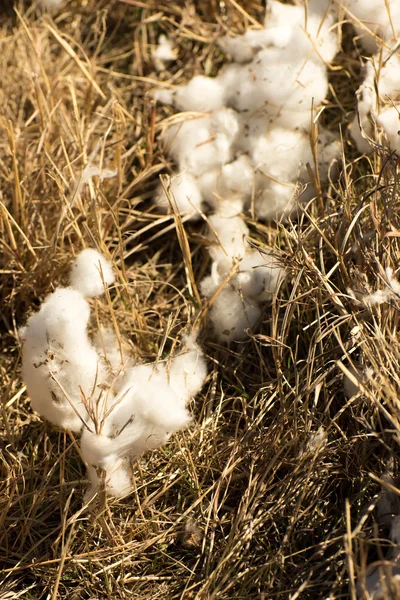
pixel 226 117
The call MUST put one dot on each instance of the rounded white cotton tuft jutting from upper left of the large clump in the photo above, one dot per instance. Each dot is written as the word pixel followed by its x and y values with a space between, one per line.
pixel 202 94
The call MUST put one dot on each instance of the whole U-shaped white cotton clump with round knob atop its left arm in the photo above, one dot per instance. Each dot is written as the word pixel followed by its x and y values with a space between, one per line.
pixel 92 387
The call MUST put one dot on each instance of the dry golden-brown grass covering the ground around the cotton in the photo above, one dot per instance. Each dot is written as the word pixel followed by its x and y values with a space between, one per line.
pixel 269 494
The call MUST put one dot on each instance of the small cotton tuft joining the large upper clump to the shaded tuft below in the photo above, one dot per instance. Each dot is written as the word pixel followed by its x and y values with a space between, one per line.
pixel 228 235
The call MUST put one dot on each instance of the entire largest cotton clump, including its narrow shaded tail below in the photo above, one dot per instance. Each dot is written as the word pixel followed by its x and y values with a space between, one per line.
pixel 243 140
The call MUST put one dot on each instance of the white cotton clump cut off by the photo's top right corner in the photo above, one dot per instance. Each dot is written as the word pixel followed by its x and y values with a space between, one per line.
pixel 375 21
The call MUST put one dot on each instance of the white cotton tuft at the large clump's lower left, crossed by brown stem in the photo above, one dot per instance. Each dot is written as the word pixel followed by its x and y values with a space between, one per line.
pixel 186 193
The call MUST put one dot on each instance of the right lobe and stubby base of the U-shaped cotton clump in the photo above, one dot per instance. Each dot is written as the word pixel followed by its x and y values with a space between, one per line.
pixel 151 405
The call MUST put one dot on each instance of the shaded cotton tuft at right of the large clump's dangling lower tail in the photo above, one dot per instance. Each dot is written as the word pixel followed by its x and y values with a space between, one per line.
pixel 259 276
